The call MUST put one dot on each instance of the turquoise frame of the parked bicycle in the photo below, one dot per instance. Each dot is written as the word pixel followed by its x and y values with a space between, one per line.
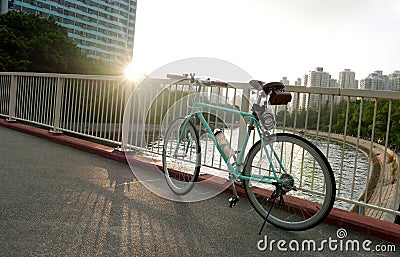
pixel 236 171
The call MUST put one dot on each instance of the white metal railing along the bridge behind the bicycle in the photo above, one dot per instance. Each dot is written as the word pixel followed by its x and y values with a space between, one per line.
pixel 93 106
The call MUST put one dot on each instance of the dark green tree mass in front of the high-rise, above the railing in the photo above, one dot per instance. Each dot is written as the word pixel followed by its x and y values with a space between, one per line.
pixel 33 44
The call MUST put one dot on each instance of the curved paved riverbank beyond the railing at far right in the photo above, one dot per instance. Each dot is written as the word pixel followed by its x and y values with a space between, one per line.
pixel 381 186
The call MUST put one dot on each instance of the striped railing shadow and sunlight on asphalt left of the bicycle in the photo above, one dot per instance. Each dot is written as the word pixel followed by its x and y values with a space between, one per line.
pixel 113 215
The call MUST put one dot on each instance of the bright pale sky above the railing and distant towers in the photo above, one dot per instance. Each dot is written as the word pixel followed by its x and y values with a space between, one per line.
pixel 271 39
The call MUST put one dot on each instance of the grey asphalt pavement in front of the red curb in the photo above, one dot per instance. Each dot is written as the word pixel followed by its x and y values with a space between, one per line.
pixel 60 201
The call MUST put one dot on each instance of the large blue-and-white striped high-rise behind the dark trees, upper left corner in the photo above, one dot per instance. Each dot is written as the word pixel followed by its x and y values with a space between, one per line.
pixel 102 29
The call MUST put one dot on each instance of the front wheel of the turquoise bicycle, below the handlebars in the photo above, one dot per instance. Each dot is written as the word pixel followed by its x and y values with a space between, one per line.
pixel 181 156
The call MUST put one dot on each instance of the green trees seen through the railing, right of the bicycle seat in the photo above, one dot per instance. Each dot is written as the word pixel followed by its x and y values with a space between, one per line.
pixel 339 114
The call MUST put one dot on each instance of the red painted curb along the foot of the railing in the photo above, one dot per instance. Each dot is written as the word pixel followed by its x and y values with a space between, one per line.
pixel 353 221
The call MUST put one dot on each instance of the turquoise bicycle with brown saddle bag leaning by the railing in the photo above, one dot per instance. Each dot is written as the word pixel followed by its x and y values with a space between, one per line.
pixel 279 167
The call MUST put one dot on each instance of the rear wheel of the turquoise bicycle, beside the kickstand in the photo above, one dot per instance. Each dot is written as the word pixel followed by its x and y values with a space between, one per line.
pixel 300 166
